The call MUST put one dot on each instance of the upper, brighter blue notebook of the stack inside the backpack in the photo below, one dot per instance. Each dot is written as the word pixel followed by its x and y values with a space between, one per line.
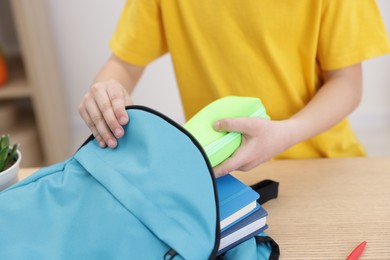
pixel 236 200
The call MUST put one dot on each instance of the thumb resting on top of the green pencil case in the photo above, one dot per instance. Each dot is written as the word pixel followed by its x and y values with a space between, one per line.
pixel 241 125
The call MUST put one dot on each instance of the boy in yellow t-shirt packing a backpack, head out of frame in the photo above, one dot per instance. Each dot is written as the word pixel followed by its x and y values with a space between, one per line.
pixel 301 58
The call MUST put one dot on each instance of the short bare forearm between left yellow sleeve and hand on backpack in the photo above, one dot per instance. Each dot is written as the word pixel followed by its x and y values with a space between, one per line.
pixel 125 74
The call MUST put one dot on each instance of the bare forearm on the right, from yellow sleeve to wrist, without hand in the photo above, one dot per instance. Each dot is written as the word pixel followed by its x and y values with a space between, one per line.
pixel 336 99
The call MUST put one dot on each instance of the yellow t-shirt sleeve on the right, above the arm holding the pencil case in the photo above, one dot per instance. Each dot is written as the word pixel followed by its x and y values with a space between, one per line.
pixel 351 32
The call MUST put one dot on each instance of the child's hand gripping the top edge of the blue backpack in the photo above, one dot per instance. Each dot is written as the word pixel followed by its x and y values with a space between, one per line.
pixel 103 110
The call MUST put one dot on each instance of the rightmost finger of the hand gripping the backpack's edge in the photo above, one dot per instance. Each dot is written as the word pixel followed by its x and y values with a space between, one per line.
pixel 119 99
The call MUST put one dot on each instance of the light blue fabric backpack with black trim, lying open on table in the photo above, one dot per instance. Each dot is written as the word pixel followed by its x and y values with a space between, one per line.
pixel 153 197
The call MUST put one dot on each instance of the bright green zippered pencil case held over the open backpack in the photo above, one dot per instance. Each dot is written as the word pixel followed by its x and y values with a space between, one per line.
pixel 221 145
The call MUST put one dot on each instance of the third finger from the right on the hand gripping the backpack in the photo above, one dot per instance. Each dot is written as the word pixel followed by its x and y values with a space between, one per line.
pixel 100 124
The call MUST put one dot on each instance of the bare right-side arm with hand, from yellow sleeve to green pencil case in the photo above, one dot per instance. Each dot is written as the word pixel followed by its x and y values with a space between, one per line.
pixel 264 139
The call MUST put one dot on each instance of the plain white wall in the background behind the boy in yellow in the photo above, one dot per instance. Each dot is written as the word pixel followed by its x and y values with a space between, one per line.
pixel 82 30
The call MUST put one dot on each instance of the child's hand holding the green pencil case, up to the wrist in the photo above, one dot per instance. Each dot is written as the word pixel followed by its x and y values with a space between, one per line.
pixel 262 140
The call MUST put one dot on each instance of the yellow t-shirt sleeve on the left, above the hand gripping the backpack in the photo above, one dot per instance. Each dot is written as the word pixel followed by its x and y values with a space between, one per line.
pixel 139 36
